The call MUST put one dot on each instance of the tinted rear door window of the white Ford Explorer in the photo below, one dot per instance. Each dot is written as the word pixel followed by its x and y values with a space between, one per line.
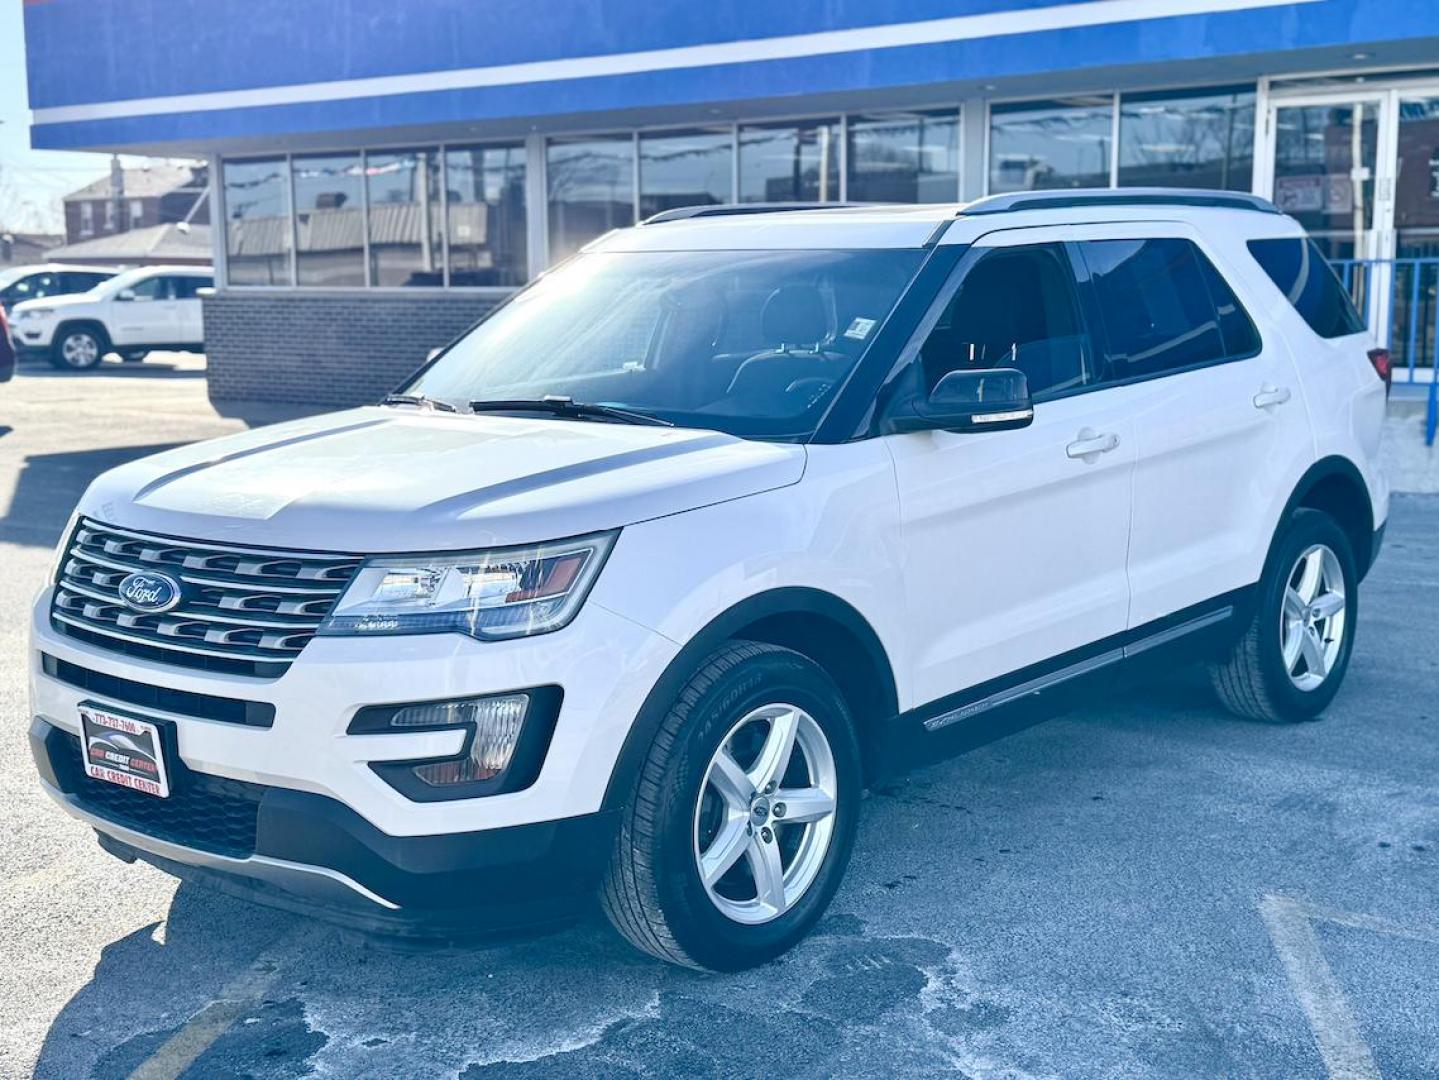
pixel 1156 306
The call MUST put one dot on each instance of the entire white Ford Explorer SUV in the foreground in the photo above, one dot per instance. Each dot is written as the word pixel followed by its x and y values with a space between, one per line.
pixel 638 585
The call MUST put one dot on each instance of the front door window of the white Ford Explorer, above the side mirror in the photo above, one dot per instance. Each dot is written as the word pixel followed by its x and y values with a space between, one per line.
pixel 1015 310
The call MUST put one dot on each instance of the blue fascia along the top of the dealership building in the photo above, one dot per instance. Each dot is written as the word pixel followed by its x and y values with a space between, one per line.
pixel 155 50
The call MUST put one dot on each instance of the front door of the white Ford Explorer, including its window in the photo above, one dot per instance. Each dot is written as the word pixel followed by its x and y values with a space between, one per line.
pixel 1015 541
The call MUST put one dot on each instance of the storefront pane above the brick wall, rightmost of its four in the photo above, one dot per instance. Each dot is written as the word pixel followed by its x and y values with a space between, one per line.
pixel 489 232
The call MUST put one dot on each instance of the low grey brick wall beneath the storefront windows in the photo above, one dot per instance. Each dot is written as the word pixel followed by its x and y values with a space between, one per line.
pixel 326 349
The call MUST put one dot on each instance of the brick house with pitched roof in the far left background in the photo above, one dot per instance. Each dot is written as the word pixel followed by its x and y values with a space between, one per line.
pixel 149 196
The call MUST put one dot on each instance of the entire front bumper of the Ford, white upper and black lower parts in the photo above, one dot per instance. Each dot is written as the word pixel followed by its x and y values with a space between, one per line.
pixel 283 805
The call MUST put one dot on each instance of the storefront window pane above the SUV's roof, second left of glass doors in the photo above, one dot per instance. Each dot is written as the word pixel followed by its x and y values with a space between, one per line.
pixel 1051 145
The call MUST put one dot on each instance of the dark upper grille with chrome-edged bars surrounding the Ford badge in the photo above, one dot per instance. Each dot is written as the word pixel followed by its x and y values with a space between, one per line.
pixel 242 610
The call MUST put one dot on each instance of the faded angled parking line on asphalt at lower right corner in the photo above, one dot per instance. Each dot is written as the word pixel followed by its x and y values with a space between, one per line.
pixel 1336 1032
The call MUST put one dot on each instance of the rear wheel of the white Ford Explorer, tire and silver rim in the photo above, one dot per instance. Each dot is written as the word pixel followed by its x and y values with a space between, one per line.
pixel 1260 679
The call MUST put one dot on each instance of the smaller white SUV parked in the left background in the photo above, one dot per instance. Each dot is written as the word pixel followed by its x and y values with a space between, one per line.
pixel 132 314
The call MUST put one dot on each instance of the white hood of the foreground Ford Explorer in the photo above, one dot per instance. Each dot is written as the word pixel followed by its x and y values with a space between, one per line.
pixel 401 481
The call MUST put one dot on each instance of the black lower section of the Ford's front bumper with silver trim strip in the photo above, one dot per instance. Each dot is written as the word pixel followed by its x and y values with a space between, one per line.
pixel 313 855
